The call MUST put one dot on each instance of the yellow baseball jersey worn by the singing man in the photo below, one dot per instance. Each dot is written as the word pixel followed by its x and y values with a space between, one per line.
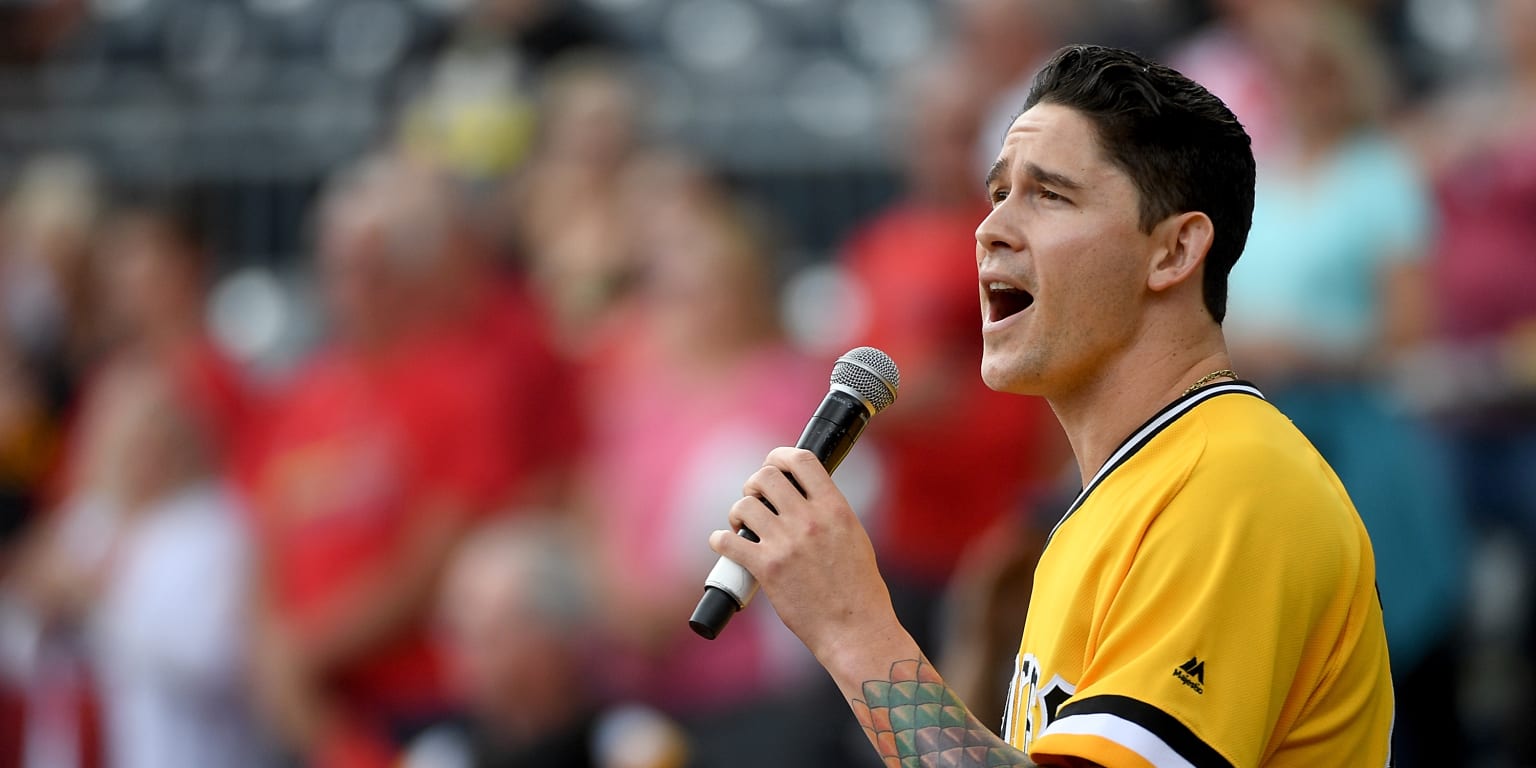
pixel 1208 601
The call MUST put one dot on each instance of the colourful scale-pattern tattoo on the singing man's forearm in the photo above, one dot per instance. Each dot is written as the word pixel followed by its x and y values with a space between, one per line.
pixel 916 721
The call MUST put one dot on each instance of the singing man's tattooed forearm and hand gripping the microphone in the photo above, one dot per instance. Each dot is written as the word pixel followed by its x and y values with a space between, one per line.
pixel 816 564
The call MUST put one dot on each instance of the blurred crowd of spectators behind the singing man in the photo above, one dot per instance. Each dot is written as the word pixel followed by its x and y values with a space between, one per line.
pixel 468 525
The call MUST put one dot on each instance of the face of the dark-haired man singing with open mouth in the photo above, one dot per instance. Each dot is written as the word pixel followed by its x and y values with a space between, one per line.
pixel 1061 259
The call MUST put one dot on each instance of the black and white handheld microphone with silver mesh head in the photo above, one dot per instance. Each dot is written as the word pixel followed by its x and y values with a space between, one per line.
pixel 864 383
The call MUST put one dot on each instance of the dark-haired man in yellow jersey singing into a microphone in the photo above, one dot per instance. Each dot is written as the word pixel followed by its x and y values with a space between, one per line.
pixel 1210 598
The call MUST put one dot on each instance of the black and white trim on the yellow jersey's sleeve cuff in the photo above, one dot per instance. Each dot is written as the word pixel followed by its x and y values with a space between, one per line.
pixel 1136 726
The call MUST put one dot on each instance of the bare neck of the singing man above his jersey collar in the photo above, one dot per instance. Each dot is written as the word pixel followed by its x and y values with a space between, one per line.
pixel 1101 415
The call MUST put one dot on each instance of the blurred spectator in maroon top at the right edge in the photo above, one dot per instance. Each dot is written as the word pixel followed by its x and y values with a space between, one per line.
pixel 1478 377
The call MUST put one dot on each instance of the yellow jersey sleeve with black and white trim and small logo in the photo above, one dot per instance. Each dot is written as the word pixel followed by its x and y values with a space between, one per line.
pixel 1199 643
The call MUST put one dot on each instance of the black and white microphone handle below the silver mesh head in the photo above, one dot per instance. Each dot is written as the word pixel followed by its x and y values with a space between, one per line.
pixel 830 435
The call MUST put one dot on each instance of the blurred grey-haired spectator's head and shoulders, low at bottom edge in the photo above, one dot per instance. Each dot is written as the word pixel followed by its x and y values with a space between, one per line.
pixel 515 615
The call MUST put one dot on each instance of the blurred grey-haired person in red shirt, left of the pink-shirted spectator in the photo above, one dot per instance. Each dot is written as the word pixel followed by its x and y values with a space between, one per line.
pixel 389 445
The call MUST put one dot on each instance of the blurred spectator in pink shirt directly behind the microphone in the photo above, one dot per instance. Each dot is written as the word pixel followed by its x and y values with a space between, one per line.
pixel 687 380
